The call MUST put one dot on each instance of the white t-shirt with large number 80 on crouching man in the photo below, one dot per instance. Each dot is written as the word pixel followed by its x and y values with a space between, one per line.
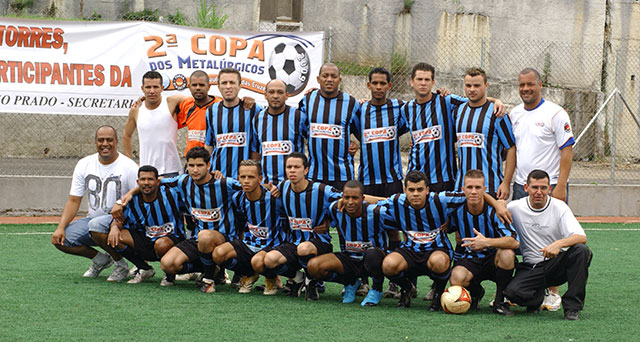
pixel 104 184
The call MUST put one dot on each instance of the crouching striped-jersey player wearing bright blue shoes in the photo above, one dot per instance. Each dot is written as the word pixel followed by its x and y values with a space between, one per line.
pixel 362 244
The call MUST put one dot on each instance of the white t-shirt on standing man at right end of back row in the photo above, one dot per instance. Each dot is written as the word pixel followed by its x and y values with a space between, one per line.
pixel 540 133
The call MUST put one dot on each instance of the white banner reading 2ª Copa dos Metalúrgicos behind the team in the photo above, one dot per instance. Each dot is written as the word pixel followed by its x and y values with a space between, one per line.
pixel 96 68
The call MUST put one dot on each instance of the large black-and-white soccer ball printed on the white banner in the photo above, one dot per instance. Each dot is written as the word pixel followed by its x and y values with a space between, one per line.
pixel 290 63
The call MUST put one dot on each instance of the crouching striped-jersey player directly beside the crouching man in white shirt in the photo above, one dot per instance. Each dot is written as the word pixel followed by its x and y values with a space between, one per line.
pixel 488 244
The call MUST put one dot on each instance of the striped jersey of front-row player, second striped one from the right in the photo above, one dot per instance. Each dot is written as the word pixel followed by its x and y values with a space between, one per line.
pixel 422 226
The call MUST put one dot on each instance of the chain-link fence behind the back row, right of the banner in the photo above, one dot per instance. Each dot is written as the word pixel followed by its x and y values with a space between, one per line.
pixel 578 77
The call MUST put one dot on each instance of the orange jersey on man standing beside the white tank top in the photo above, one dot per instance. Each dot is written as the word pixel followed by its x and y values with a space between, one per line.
pixel 195 119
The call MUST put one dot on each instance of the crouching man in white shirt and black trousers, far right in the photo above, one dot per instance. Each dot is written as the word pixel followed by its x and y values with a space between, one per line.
pixel 553 249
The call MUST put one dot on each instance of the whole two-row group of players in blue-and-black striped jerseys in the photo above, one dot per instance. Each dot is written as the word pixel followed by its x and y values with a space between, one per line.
pixel 255 228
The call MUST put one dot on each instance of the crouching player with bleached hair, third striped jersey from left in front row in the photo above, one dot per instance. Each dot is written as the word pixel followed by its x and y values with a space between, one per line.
pixel 261 216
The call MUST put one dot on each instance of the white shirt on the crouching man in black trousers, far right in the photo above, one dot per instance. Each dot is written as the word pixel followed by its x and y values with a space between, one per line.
pixel 538 228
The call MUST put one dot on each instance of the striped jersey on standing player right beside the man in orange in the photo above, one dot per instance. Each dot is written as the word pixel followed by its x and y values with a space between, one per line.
pixel 229 132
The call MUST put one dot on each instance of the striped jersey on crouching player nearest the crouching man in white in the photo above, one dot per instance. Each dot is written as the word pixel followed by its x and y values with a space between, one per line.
pixel 487 223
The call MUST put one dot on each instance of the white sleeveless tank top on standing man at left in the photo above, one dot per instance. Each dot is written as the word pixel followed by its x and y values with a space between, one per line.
pixel 158 133
